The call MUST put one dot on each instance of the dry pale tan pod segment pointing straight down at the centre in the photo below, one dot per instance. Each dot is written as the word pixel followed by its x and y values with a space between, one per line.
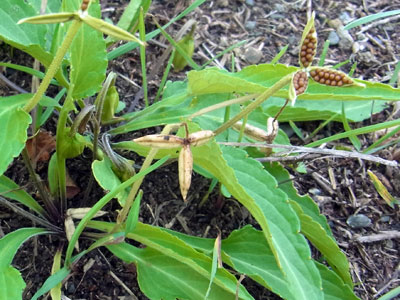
pixel 185 167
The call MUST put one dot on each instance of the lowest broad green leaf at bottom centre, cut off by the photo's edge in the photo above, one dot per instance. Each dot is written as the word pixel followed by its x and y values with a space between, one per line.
pixel 160 276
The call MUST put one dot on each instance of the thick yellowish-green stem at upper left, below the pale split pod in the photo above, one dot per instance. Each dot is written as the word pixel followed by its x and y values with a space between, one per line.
pixel 54 66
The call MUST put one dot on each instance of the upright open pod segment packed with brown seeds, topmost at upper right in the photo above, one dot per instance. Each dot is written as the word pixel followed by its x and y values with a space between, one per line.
pixel 308 45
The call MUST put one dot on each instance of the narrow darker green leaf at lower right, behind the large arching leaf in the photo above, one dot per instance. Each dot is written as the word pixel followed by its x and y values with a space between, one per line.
pixel 325 244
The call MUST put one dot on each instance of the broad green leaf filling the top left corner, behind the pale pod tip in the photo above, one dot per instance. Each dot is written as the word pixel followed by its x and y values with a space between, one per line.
pixel 32 39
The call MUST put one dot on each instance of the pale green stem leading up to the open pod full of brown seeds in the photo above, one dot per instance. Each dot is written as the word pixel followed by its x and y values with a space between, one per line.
pixel 260 99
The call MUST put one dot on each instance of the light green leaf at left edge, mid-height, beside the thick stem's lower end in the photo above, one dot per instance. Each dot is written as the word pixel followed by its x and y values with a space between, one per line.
pixel 13 123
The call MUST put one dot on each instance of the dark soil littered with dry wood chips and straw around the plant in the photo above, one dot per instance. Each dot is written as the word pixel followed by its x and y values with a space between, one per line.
pixel 267 26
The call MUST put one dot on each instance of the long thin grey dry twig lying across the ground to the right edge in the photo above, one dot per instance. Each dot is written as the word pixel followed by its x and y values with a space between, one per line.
pixel 341 153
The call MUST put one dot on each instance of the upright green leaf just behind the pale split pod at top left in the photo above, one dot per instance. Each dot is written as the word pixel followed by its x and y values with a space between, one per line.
pixel 88 59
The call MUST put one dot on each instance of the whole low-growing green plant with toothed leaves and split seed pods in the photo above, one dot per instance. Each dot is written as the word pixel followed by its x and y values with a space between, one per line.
pixel 199 115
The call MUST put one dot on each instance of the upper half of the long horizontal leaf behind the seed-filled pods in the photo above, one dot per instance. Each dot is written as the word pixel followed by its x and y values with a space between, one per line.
pixel 255 79
